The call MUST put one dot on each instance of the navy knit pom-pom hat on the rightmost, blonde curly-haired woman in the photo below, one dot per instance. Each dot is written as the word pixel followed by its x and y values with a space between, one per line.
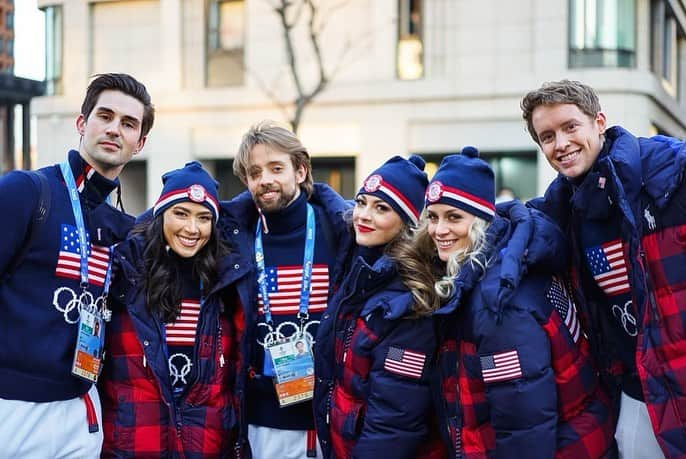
pixel 466 182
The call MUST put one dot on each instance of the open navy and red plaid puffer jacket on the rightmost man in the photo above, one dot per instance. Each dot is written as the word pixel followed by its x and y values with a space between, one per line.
pixel 644 179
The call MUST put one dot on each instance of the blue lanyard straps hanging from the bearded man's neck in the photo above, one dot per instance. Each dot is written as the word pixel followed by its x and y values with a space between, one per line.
pixel 308 257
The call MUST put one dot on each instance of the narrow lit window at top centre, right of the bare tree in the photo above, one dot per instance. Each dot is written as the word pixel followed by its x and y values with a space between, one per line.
pixel 410 51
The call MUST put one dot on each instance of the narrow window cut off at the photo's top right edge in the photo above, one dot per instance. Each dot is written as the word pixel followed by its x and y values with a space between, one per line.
pixel 667 45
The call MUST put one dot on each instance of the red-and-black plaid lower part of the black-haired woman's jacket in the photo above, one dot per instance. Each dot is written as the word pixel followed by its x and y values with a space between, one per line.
pixel 136 420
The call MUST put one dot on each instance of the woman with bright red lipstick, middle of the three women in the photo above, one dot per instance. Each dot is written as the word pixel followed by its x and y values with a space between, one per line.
pixel 375 344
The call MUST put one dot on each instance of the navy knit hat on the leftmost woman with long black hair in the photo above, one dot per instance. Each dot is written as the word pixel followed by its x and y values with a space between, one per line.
pixel 191 183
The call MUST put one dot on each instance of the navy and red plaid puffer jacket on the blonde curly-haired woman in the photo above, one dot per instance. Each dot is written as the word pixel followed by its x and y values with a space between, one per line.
pixel 516 376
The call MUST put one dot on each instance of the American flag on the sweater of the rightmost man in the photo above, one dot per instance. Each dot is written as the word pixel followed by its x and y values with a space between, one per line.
pixel 609 267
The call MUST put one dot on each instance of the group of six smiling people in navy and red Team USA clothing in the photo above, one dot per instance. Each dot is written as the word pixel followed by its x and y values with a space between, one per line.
pixel 427 321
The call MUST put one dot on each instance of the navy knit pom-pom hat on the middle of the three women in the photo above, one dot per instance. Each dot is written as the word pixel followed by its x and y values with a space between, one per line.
pixel 400 183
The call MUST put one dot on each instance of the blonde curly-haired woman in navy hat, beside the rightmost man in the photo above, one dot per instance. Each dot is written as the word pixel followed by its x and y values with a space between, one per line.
pixel 516 379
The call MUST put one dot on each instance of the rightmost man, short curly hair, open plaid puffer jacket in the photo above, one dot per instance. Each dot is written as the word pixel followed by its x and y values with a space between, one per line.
pixel 622 199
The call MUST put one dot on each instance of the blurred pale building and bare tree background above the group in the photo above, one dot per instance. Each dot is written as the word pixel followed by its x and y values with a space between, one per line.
pixel 359 80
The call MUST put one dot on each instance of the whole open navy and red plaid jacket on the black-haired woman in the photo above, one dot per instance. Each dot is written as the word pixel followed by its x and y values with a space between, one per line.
pixel 141 418
